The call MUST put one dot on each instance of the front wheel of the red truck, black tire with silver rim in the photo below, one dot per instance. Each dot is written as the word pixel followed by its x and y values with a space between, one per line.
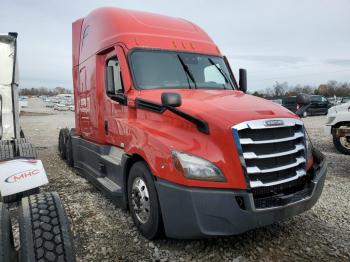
pixel 143 201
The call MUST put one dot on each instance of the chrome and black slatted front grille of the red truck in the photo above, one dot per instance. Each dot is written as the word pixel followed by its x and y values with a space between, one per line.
pixel 272 151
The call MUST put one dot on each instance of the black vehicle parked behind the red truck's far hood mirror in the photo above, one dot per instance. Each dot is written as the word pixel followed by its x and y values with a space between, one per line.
pixel 319 104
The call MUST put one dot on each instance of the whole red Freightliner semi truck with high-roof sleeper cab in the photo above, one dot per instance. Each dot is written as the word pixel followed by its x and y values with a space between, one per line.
pixel 163 128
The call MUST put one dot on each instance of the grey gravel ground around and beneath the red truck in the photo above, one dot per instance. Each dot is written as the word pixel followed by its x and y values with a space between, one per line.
pixel 103 232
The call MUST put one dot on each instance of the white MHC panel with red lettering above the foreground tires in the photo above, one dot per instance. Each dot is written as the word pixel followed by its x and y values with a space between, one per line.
pixel 20 175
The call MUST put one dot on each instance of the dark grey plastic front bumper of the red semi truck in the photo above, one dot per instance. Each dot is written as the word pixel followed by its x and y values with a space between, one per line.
pixel 198 212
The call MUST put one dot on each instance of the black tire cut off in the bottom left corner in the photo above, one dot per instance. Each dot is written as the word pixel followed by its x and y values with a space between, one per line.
pixel 7 249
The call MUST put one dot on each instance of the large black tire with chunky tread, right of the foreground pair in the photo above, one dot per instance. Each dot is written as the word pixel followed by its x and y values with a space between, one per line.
pixel 44 230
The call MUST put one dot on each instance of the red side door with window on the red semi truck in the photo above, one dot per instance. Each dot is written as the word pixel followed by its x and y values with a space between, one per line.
pixel 116 109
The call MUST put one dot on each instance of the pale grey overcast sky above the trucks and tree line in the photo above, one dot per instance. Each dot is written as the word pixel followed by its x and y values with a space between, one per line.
pixel 301 42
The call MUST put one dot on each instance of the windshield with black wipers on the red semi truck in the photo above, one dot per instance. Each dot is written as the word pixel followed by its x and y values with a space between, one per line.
pixel 153 69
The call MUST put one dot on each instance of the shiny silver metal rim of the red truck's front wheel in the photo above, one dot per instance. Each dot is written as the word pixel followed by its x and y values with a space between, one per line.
pixel 140 200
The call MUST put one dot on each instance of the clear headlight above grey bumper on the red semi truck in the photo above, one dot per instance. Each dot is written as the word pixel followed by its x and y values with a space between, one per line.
pixel 193 167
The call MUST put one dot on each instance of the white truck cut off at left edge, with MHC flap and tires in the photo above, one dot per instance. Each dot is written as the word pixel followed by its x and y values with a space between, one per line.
pixel 41 216
